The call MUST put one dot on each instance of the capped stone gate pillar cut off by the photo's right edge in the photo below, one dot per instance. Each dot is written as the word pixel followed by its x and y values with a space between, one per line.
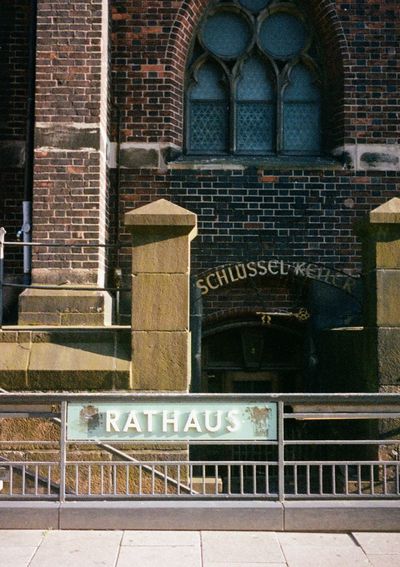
pixel 381 256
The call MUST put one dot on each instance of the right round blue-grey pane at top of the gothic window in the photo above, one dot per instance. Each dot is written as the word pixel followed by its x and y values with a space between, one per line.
pixel 283 35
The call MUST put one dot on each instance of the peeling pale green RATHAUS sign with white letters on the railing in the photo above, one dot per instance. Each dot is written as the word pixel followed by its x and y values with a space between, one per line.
pixel 166 421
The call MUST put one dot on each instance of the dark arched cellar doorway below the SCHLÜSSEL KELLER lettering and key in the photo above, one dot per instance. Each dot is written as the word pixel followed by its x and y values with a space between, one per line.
pixel 247 356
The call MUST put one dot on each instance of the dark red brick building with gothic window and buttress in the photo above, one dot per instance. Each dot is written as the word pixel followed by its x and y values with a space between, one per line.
pixel 275 122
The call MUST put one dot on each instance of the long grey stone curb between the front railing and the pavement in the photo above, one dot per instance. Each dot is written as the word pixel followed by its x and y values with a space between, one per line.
pixel 250 515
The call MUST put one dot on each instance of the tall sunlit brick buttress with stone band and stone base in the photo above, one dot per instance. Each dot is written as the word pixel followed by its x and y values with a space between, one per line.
pixel 70 167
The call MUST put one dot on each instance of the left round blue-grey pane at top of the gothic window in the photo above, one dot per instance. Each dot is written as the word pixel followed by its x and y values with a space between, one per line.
pixel 226 34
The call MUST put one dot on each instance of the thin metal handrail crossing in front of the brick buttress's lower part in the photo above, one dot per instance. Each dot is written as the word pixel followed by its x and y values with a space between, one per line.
pixel 116 290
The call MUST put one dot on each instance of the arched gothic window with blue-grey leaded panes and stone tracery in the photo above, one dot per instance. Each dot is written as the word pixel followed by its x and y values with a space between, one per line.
pixel 253 81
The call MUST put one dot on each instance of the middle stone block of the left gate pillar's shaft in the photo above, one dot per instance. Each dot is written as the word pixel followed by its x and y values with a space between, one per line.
pixel 170 312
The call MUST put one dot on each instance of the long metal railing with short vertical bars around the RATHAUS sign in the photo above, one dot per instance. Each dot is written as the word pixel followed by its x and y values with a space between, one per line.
pixel 332 446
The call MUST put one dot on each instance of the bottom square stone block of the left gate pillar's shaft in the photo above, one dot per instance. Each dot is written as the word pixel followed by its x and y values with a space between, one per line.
pixel 160 361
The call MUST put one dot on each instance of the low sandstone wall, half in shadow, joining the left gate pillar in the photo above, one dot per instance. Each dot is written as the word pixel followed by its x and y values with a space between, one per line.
pixel 68 359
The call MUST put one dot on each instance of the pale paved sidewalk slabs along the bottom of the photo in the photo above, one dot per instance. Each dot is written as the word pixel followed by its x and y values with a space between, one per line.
pixel 37 548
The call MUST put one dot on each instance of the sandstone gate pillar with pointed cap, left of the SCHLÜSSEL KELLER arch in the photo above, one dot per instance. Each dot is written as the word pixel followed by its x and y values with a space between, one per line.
pixel 161 236
